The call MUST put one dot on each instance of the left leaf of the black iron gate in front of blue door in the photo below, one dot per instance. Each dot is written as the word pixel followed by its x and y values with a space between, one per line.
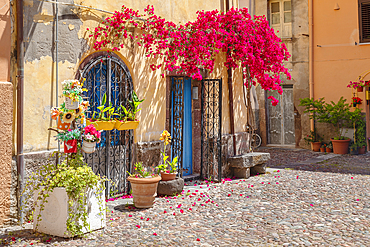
pixel 177 89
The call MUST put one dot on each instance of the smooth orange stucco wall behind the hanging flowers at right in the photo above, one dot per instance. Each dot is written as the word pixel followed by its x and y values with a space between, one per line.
pixel 338 60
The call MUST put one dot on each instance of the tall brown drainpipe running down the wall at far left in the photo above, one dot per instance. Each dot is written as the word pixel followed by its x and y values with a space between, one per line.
pixel 20 93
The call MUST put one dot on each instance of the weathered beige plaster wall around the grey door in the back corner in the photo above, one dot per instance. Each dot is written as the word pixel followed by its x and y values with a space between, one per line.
pixel 297 65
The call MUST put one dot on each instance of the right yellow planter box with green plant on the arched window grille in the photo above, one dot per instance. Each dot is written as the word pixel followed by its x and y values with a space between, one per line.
pixel 127 116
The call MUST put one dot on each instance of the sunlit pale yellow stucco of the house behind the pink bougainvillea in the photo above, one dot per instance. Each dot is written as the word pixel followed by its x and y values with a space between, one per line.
pixel 40 74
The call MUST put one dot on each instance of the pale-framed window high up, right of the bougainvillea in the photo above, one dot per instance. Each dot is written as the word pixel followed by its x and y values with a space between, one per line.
pixel 281 18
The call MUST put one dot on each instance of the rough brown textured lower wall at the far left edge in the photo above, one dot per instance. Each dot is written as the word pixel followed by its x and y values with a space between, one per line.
pixel 6 113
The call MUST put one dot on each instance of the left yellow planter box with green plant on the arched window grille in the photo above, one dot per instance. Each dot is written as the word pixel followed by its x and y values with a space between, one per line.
pixel 104 118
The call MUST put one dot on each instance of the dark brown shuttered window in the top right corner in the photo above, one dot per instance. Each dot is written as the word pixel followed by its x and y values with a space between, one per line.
pixel 364 20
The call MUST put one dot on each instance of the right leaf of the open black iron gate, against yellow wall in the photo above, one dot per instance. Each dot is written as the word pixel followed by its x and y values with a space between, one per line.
pixel 211 111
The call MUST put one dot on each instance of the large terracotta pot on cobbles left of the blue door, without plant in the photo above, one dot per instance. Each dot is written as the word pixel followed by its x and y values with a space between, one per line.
pixel 144 191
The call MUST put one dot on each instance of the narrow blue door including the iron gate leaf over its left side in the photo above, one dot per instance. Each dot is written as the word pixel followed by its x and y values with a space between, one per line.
pixel 181 124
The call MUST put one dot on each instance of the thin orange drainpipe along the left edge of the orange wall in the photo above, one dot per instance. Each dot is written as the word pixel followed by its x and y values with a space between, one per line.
pixel 311 55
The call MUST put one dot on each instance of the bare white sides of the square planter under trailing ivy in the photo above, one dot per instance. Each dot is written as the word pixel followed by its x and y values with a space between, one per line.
pixel 55 214
